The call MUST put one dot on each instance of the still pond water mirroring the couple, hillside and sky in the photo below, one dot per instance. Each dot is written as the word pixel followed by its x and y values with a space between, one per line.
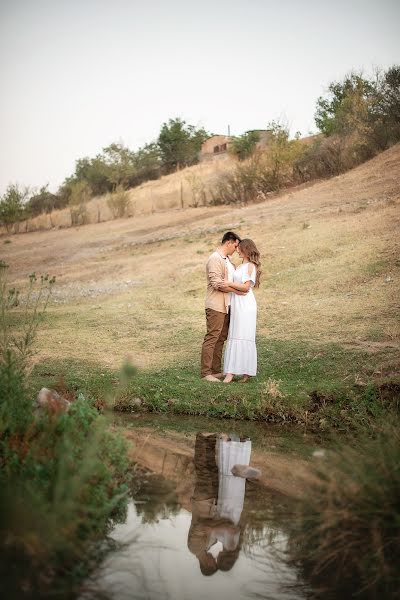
pixel 193 530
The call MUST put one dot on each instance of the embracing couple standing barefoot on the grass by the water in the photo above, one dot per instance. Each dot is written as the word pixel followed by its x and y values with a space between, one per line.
pixel 231 311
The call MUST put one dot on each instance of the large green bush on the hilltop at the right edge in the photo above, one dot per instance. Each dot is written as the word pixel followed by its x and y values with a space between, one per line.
pixel 360 117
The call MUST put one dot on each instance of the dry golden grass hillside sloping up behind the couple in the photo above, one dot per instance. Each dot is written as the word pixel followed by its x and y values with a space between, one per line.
pixel 135 286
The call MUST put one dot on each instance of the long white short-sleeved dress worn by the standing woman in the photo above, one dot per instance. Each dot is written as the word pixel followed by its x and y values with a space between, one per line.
pixel 240 351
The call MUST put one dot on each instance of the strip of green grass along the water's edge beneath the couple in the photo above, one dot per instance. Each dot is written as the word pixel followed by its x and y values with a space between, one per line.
pixel 320 386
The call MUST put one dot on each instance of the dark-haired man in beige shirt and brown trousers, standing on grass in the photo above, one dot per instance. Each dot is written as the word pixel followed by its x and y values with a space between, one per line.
pixel 219 268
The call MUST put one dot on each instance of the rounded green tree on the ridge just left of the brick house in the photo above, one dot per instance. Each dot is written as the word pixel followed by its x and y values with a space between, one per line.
pixel 180 144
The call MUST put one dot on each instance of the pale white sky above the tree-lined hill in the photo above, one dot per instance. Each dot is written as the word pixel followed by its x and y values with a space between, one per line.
pixel 77 75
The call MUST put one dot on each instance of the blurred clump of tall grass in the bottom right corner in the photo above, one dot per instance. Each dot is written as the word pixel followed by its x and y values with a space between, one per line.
pixel 347 543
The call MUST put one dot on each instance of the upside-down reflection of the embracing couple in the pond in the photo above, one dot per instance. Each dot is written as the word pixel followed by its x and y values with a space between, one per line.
pixel 217 501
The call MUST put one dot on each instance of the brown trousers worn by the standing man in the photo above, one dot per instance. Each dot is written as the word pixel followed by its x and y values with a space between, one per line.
pixel 217 332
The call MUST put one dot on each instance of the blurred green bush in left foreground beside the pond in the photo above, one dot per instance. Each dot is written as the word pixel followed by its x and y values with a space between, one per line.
pixel 63 477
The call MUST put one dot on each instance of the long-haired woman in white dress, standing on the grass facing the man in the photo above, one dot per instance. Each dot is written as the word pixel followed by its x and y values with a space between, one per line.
pixel 240 350
